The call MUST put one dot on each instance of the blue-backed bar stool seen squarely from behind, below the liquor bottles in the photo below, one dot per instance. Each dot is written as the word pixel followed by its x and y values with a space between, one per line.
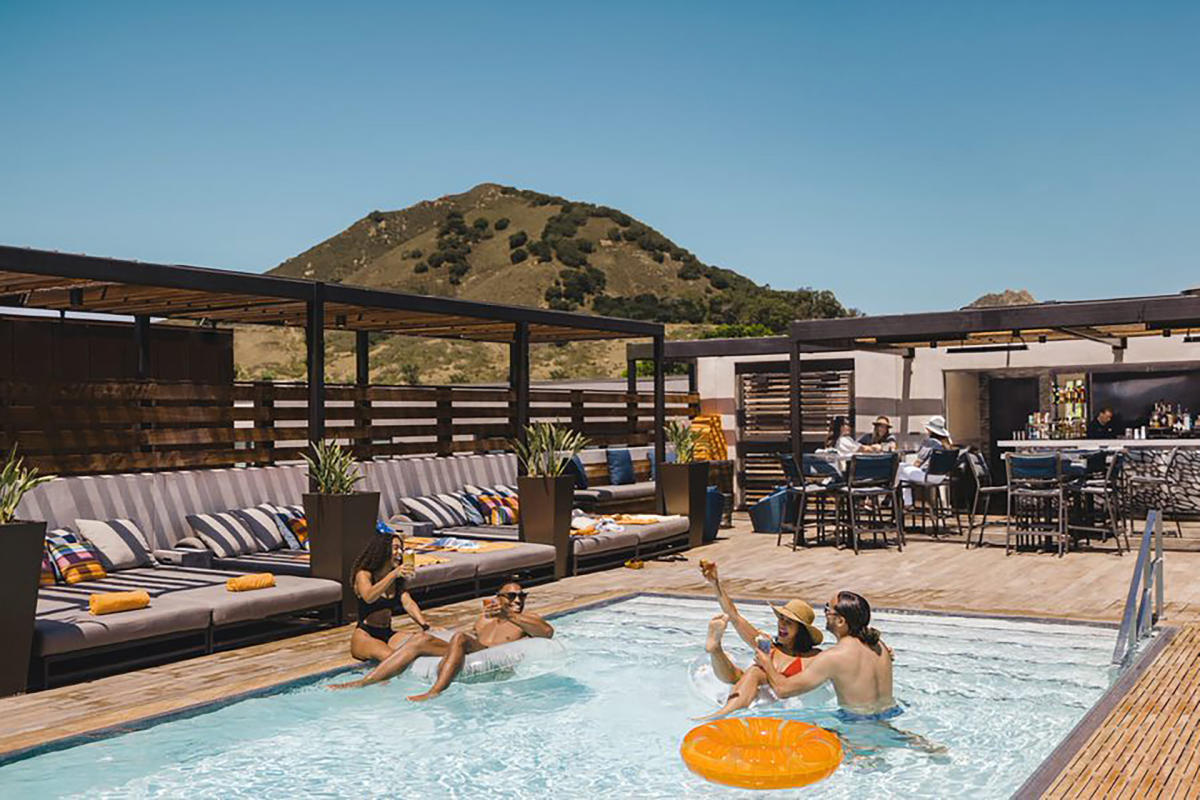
pixel 1036 500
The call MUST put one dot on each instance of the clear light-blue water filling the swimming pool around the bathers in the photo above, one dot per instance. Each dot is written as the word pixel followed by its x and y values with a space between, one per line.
pixel 998 695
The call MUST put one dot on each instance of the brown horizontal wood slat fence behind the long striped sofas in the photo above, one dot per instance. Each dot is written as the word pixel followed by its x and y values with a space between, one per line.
pixel 145 425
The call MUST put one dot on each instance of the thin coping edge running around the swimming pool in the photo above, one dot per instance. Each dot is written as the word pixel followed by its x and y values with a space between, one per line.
pixel 205 707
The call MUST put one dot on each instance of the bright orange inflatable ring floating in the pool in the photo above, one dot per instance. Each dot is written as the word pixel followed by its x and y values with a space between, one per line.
pixel 761 753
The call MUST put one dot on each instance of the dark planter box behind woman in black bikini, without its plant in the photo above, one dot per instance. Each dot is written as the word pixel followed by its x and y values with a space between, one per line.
pixel 340 526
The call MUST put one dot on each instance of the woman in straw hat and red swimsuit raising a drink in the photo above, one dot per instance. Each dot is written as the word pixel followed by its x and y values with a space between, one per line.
pixel 791 653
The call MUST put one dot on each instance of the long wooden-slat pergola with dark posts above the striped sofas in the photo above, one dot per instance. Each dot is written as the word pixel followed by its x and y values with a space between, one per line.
pixel 65 282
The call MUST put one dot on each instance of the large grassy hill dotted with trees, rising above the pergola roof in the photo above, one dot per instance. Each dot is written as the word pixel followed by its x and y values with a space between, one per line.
pixel 517 246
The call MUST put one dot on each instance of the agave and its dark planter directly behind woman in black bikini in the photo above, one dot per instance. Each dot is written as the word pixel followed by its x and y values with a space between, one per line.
pixel 341 521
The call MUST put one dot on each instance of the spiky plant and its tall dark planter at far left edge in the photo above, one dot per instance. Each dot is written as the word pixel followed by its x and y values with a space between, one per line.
pixel 23 543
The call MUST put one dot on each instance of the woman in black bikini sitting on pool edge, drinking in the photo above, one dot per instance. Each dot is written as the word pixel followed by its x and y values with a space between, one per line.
pixel 380 576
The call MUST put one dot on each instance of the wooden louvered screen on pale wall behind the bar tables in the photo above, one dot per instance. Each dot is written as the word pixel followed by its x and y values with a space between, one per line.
pixel 765 419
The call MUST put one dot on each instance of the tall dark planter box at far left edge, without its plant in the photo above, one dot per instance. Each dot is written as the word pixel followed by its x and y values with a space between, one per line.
pixel 20 572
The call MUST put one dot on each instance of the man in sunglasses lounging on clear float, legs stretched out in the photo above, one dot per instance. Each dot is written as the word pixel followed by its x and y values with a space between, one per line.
pixel 505 619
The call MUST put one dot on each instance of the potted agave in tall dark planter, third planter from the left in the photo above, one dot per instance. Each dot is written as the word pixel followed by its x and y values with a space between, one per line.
pixel 547 490
